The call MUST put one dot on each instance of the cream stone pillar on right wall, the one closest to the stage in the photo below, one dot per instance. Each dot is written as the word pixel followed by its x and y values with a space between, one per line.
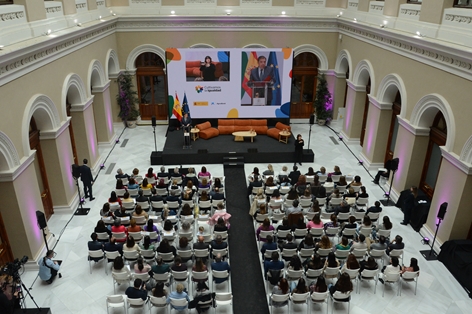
pixel 355 103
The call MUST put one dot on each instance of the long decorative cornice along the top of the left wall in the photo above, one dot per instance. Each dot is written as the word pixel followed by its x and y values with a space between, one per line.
pixel 19 62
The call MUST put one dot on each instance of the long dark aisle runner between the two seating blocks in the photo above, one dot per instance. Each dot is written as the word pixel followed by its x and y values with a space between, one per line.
pixel 246 277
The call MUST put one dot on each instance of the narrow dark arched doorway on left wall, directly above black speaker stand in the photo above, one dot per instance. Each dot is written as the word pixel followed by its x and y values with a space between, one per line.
pixel 35 144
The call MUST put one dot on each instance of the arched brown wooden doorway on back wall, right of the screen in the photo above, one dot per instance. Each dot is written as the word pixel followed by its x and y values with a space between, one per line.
pixel 304 83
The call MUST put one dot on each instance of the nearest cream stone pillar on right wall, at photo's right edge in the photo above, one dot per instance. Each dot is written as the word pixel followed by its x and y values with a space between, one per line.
pixel 453 186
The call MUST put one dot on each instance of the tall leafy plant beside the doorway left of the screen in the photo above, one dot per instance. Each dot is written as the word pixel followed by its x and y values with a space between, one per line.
pixel 127 99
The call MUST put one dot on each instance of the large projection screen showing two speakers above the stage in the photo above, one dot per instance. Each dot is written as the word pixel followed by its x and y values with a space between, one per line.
pixel 233 83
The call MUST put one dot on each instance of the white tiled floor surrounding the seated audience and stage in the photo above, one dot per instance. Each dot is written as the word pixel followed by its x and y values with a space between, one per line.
pixel 81 292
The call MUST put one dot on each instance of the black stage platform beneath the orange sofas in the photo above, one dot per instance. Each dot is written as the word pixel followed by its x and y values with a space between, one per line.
pixel 264 149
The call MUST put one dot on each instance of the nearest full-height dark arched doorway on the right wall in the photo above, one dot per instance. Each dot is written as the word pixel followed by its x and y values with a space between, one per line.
pixel 432 163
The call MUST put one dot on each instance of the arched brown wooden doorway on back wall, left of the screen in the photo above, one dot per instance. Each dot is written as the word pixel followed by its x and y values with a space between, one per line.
pixel 152 86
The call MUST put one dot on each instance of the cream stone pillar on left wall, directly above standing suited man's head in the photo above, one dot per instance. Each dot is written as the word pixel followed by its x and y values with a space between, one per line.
pixel 83 122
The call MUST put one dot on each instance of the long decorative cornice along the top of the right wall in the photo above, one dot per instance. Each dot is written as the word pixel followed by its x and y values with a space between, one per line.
pixel 442 56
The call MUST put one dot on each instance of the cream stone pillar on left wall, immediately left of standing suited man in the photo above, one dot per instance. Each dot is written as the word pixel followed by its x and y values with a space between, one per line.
pixel 57 150
